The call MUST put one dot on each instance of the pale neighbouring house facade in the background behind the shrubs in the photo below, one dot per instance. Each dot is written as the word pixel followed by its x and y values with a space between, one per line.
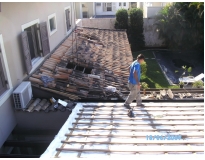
pixel 95 9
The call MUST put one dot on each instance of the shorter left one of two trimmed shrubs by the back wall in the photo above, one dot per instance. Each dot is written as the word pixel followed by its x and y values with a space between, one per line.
pixel 121 21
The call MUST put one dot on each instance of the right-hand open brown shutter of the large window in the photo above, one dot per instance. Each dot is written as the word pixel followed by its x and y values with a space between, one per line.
pixel 44 38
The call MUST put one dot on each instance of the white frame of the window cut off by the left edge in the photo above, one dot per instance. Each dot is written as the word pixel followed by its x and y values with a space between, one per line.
pixel 9 90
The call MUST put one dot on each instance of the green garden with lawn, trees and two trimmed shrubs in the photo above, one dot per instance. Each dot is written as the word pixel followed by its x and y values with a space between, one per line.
pixel 181 27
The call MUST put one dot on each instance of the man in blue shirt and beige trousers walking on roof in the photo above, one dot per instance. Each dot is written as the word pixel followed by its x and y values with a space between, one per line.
pixel 134 84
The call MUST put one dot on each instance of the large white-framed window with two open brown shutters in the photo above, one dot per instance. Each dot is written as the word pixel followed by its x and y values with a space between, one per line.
pixel 35 43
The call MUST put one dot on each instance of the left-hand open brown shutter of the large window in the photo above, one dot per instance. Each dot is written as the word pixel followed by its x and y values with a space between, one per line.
pixel 26 51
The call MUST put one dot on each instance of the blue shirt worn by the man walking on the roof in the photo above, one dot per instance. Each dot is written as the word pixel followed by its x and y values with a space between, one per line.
pixel 135 66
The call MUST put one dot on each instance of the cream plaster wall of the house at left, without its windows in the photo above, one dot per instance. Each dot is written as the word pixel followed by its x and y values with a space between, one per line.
pixel 12 17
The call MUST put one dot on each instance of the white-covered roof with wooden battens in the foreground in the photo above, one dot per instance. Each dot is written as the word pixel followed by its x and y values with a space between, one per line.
pixel 104 129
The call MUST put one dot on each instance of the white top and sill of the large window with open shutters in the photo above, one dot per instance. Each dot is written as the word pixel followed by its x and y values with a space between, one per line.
pixel 35 61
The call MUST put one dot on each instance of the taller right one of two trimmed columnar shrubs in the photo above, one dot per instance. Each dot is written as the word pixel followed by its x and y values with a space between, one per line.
pixel 136 29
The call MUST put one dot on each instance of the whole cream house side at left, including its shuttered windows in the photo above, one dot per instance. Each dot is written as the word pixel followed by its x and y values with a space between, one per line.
pixel 29 32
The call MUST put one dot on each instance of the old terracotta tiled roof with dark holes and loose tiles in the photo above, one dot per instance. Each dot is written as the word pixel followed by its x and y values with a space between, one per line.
pixel 87 61
